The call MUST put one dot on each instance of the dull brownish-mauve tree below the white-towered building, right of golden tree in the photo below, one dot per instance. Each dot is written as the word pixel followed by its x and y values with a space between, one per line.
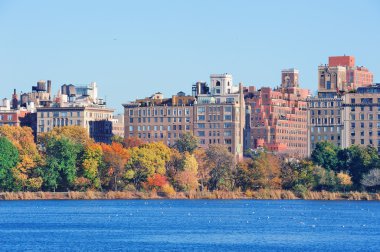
pixel 222 164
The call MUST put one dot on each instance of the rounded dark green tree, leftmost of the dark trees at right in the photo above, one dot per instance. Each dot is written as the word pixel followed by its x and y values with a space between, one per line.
pixel 325 155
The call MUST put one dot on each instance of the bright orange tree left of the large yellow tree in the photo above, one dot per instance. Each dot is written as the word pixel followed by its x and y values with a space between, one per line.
pixel 115 157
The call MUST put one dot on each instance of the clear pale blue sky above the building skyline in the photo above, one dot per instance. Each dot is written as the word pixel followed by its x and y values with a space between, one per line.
pixel 135 48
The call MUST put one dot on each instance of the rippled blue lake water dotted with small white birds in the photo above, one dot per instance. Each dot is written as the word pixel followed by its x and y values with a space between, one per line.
pixel 195 225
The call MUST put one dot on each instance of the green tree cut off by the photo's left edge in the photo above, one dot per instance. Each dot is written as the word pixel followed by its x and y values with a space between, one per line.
pixel 9 158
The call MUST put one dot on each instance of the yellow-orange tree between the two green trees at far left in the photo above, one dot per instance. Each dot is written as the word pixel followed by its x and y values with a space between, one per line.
pixel 26 174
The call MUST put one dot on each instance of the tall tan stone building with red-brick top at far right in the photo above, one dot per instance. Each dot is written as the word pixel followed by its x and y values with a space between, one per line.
pixel 335 115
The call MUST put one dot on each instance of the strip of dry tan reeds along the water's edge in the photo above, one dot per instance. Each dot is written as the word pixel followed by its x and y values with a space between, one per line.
pixel 258 195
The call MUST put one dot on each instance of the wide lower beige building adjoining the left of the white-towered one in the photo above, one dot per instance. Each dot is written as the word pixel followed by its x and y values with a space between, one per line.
pixel 158 119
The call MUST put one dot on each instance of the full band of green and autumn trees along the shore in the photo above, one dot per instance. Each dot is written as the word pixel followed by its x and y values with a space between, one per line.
pixel 66 159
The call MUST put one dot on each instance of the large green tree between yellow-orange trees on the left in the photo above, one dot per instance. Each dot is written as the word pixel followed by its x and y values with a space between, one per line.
pixel 61 163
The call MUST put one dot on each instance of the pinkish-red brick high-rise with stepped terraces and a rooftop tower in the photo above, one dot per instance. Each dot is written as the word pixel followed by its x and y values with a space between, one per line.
pixel 278 120
